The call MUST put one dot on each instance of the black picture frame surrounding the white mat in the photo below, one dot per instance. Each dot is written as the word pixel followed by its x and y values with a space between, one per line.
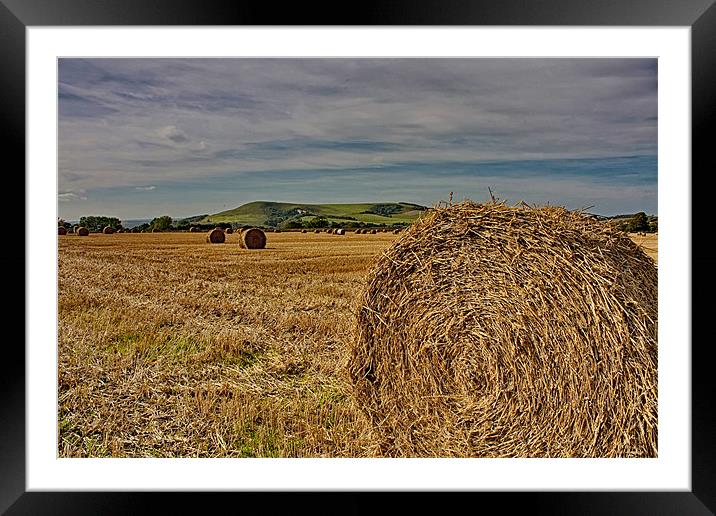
pixel 699 15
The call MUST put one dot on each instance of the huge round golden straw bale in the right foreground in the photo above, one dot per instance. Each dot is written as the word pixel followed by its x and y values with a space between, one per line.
pixel 494 331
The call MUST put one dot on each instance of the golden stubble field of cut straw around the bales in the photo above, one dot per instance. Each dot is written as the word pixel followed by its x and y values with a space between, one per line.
pixel 172 347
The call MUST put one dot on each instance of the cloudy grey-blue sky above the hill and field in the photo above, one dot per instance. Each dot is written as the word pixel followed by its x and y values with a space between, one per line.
pixel 144 137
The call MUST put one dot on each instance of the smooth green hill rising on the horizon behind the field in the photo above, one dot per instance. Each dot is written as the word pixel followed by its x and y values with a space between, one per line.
pixel 265 213
